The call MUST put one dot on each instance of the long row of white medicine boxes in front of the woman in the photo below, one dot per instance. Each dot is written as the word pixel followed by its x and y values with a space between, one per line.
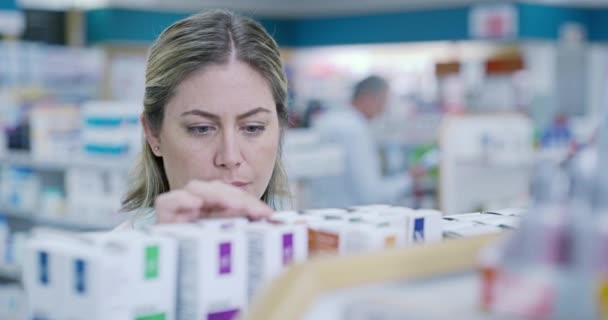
pixel 204 270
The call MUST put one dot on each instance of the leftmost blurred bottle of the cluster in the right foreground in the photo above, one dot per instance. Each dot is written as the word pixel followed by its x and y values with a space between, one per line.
pixel 527 282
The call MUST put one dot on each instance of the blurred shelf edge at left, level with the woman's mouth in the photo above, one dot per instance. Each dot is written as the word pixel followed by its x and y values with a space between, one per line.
pixel 26 160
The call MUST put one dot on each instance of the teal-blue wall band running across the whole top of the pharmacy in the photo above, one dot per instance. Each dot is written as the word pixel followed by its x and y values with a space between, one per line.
pixel 536 21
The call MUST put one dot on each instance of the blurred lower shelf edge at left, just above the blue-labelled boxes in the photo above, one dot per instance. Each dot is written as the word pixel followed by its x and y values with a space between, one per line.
pixel 55 222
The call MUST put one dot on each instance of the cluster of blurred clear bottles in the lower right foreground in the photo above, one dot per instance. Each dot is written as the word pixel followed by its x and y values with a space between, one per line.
pixel 557 256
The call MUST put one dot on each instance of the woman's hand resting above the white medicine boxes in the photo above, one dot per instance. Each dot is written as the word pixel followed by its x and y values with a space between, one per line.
pixel 200 199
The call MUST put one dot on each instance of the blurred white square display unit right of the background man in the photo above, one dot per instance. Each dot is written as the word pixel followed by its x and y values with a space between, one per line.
pixel 495 151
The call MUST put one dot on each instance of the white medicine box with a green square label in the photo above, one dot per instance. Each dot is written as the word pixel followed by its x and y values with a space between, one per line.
pixel 137 268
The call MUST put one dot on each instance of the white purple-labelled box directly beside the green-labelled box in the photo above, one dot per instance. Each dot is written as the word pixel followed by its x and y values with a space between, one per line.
pixel 212 277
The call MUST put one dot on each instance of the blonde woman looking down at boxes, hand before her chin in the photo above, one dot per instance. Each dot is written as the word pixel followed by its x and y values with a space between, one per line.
pixel 214 114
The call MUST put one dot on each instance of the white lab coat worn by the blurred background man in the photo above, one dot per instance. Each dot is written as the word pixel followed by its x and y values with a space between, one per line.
pixel 362 182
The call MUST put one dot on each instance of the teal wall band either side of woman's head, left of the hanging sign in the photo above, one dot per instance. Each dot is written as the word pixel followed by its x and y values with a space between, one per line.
pixel 116 25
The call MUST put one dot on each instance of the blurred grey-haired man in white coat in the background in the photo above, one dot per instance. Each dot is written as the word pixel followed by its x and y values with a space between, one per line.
pixel 362 181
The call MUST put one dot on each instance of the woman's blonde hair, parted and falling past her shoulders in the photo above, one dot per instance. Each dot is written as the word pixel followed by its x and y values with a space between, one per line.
pixel 185 47
